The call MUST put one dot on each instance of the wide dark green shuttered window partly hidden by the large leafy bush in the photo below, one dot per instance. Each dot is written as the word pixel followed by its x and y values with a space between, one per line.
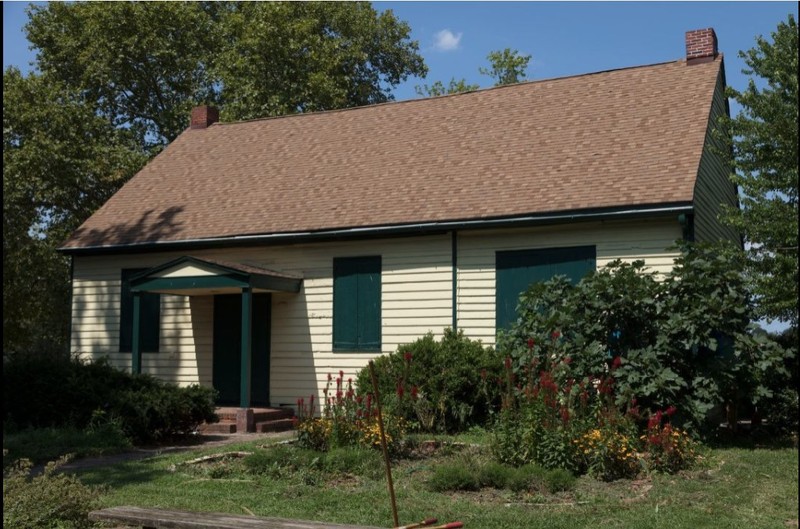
pixel 517 269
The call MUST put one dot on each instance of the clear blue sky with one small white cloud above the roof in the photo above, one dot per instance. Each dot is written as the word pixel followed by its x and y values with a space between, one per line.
pixel 564 38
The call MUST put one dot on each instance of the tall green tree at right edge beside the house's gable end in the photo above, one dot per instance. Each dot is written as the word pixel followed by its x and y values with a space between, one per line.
pixel 765 157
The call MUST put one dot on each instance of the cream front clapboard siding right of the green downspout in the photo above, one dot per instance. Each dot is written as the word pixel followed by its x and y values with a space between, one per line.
pixel 627 241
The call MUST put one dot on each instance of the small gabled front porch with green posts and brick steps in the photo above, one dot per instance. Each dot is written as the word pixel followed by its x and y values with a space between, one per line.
pixel 241 327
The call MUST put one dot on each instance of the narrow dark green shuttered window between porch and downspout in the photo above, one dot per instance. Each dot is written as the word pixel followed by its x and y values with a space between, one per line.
pixel 357 304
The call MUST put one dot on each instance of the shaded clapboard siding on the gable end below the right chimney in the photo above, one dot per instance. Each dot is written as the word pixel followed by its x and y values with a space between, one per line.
pixel 713 186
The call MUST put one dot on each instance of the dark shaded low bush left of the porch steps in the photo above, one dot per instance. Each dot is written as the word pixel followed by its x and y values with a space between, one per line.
pixel 44 392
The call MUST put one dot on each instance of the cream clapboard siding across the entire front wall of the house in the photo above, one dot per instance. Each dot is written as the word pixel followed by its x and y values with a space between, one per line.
pixel 416 296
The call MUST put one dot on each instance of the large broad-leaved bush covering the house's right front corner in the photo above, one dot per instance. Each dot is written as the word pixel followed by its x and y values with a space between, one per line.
pixel 685 341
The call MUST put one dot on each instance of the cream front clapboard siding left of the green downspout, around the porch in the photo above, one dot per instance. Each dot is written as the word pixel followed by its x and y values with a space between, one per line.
pixel 416 298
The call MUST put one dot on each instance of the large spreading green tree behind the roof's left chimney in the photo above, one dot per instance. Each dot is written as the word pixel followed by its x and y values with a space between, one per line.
pixel 148 63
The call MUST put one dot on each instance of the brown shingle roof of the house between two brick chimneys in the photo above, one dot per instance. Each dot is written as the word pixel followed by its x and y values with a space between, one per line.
pixel 612 139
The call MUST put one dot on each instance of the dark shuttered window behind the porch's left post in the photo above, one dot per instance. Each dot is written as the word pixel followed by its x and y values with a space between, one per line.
pixel 150 321
